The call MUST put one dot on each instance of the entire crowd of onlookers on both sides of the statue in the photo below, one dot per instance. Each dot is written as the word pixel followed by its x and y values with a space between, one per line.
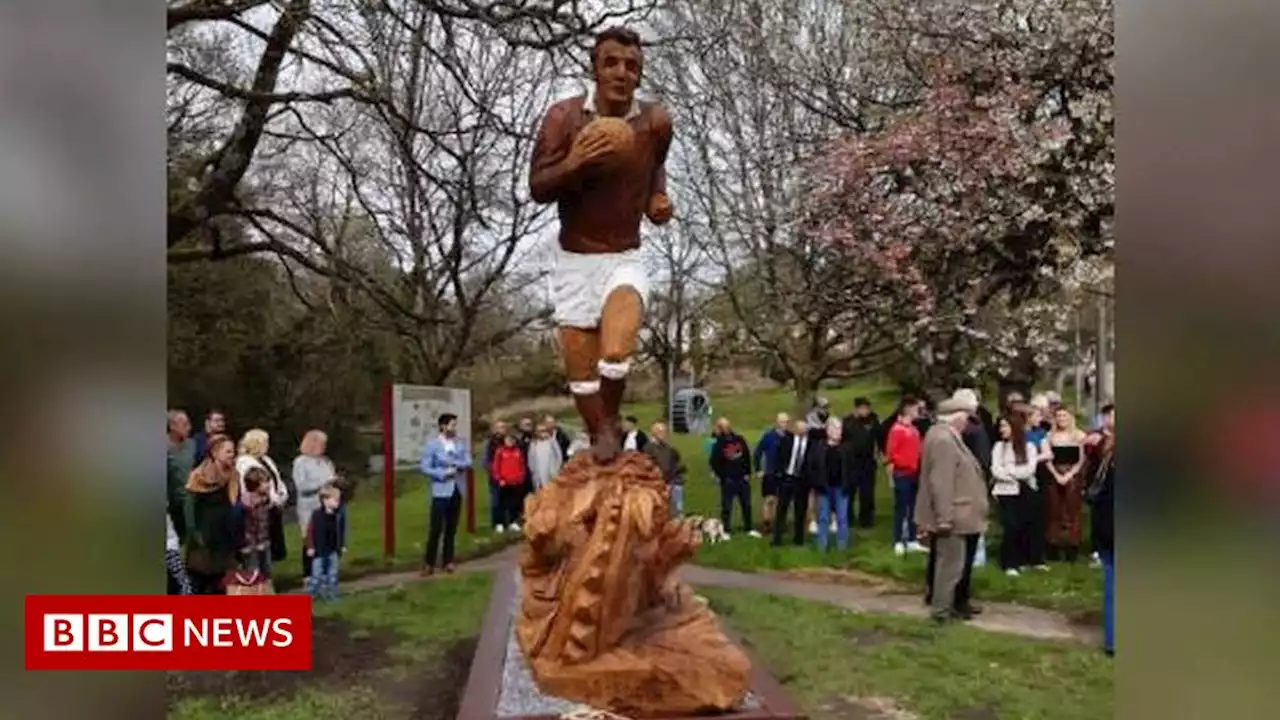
pixel 228 500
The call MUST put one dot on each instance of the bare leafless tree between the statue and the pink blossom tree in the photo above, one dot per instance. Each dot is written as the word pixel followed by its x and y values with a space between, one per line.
pixel 743 142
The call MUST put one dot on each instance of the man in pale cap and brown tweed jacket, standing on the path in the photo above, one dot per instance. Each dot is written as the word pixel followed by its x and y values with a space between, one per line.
pixel 952 511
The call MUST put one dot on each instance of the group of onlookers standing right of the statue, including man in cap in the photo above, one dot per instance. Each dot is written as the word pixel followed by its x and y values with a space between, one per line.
pixel 944 466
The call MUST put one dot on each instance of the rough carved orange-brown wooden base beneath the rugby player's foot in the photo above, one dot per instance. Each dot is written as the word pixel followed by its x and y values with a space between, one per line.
pixel 602 619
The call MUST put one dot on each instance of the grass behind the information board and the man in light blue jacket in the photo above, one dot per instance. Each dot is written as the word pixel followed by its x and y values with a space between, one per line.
pixel 365 532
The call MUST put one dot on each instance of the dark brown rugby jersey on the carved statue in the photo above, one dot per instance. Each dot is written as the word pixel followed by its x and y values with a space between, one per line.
pixel 601 211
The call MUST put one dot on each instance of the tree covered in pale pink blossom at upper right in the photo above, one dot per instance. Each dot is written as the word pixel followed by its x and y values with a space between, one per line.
pixel 990 203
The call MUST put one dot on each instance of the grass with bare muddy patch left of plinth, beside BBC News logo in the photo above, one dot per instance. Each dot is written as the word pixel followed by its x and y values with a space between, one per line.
pixel 400 654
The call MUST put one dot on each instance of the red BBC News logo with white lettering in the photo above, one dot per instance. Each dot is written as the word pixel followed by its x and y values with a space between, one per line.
pixel 168 634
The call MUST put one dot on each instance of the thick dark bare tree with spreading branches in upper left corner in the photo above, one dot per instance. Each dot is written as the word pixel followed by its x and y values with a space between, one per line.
pixel 289 47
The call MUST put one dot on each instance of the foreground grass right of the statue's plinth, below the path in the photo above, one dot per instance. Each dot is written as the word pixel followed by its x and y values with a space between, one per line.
pixel 831 659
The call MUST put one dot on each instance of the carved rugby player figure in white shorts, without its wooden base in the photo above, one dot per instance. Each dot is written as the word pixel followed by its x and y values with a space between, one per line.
pixel 601 158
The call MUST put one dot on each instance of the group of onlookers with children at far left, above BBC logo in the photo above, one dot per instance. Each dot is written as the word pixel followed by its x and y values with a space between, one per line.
pixel 228 508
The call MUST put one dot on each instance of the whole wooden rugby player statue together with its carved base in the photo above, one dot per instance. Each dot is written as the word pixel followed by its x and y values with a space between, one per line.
pixel 604 622
